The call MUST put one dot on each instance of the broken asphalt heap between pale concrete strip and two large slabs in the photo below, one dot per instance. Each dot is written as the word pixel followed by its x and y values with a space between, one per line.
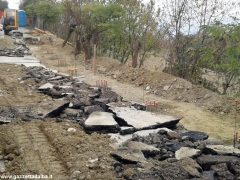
pixel 72 98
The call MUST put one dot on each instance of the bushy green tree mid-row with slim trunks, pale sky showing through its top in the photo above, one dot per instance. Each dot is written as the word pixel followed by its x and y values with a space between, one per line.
pixel 136 35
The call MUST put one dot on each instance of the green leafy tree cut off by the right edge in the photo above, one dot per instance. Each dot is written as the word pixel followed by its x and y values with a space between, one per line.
pixel 222 54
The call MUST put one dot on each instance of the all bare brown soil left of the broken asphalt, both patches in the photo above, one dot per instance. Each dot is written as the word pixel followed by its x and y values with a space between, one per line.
pixel 46 147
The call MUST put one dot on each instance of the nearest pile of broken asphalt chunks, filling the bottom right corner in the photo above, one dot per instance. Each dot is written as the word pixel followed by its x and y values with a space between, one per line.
pixel 168 154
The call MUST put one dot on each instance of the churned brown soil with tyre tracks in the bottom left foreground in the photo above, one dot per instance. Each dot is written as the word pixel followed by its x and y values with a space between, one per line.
pixel 47 148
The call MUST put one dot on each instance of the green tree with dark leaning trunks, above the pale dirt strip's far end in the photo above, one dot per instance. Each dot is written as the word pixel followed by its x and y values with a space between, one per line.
pixel 92 19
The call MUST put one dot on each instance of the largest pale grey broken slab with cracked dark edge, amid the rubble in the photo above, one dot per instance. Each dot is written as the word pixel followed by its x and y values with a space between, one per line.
pixel 141 120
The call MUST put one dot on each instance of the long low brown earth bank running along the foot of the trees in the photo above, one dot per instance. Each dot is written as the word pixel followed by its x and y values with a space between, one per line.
pixel 168 86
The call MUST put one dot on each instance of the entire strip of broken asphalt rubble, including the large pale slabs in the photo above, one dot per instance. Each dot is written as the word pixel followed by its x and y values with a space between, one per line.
pixel 146 145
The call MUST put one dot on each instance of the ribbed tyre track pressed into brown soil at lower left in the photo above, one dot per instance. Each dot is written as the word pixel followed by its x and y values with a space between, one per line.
pixel 39 156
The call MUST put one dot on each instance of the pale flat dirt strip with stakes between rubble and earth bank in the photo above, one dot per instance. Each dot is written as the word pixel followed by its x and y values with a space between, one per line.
pixel 194 117
